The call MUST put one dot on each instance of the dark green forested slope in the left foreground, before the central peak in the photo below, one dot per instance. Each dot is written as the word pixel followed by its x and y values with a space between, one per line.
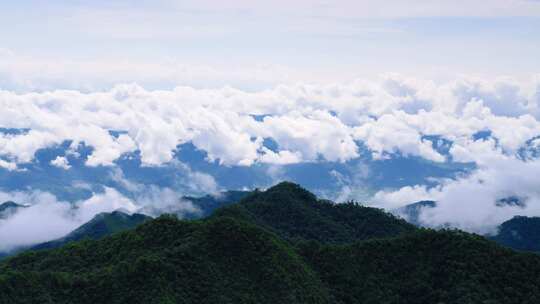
pixel 166 261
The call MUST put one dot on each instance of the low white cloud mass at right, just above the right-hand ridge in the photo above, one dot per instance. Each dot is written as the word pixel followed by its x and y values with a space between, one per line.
pixel 471 202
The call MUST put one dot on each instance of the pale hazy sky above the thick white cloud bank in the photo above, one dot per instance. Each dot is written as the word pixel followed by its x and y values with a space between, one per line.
pixel 258 44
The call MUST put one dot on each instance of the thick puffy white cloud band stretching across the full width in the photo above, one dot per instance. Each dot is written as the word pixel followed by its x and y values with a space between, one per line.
pixel 308 122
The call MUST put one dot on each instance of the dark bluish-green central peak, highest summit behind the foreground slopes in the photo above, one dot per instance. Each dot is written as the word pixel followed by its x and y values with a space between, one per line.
pixel 294 213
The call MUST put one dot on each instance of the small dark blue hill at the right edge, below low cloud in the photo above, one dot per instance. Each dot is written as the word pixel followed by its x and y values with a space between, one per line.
pixel 520 233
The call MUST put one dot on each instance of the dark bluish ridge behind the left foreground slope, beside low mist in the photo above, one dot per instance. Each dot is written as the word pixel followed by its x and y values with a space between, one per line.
pixel 101 225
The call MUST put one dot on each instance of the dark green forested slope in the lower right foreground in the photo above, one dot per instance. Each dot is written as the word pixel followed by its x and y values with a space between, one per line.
pixel 427 267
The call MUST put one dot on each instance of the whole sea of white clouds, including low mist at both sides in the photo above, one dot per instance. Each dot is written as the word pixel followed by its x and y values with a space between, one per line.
pixel 308 122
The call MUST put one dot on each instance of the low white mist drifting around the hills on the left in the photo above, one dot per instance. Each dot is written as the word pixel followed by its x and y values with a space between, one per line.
pixel 47 218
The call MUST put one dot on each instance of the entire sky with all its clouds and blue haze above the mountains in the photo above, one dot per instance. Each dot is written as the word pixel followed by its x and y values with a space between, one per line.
pixel 131 104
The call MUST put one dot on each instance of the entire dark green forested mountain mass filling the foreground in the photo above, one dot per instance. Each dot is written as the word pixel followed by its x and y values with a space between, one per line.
pixel 278 246
